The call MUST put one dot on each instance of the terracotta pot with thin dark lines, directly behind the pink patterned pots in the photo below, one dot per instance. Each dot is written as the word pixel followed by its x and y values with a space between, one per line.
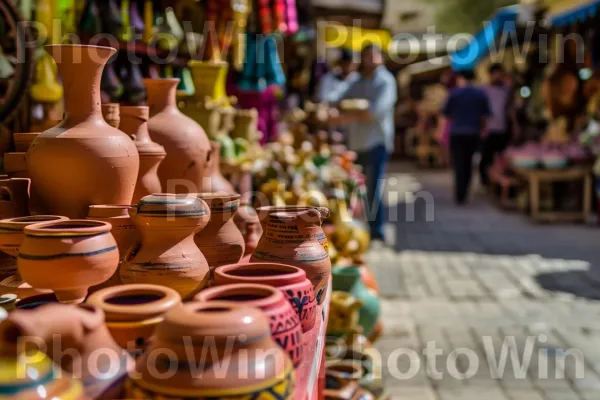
pixel 295 237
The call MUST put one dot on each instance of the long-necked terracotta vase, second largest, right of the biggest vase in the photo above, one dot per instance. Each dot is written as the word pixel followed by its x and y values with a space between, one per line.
pixel 185 142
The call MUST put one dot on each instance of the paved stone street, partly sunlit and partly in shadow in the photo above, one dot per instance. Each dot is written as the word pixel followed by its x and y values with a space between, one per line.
pixel 475 280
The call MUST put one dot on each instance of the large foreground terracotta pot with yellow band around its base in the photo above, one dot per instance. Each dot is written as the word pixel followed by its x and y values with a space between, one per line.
pixel 227 327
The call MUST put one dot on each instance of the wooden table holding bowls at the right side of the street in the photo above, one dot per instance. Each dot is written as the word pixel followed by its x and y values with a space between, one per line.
pixel 535 177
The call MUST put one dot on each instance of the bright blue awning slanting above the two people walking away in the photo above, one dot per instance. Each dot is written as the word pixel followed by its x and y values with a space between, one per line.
pixel 503 22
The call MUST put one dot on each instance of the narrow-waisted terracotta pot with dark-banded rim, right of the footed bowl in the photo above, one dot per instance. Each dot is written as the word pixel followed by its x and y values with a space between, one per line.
pixel 167 254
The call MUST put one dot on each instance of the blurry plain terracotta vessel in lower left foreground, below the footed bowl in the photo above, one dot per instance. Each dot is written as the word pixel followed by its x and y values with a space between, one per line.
pixel 77 339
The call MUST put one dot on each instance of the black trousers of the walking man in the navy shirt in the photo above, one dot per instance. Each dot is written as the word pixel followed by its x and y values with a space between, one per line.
pixel 462 150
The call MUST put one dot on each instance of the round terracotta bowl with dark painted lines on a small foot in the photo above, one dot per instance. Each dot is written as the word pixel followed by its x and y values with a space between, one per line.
pixel 68 257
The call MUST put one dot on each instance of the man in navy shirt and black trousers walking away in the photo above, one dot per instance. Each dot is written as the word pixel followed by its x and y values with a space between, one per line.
pixel 467 110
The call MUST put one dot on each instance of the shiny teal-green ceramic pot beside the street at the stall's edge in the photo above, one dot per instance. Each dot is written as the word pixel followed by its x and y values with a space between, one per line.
pixel 348 279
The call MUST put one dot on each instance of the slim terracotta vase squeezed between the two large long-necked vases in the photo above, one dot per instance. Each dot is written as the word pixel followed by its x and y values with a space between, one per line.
pixel 134 122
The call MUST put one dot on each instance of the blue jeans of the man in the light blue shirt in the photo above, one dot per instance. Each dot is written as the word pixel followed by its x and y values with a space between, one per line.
pixel 374 162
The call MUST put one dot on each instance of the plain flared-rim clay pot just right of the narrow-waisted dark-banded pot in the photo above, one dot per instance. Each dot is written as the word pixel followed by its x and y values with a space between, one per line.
pixel 221 241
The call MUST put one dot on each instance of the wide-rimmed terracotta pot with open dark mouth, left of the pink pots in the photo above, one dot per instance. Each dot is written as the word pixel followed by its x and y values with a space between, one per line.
pixel 133 311
